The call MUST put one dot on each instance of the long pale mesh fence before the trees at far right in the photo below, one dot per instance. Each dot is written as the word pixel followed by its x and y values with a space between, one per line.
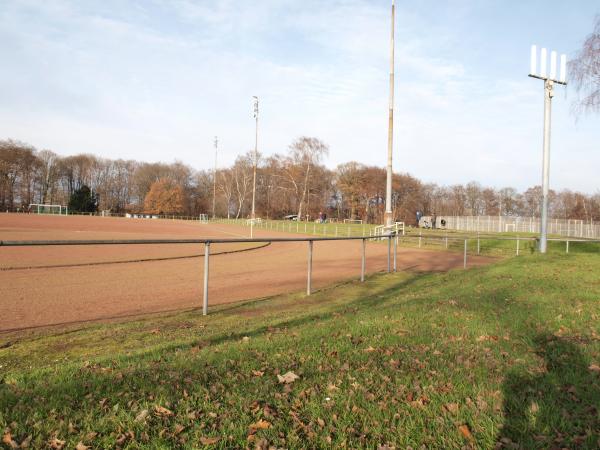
pixel 500 224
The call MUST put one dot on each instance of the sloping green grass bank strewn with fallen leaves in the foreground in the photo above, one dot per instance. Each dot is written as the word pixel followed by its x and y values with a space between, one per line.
pixel 503 355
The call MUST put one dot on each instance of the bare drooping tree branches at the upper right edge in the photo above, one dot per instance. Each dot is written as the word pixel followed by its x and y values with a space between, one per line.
pixel 585 73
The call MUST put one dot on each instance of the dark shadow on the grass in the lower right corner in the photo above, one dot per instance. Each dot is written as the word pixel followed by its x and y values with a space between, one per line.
pixel 558 407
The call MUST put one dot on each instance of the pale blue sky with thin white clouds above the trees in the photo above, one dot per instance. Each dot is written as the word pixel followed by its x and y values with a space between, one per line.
pixel 157 80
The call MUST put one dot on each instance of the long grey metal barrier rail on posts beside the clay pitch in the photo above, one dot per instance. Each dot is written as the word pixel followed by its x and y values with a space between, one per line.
pixel 391 240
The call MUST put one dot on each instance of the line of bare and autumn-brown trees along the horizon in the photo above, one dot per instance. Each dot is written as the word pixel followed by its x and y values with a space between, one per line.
pixel 294 182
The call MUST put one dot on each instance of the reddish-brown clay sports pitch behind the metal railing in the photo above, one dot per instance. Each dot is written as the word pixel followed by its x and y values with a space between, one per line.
pixel 77 289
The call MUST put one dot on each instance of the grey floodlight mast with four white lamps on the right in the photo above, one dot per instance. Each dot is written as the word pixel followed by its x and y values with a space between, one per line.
pixel 548 94
